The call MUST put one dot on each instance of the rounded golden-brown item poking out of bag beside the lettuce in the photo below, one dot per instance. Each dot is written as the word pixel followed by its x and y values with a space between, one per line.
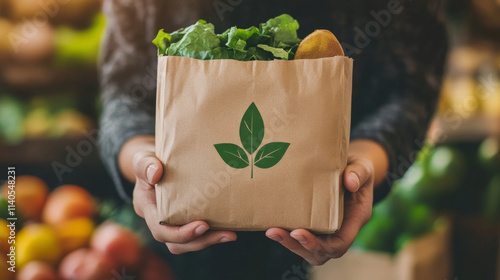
pixel 321 43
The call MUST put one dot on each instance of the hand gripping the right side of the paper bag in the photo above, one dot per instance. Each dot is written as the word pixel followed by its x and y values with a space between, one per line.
pixel 359 179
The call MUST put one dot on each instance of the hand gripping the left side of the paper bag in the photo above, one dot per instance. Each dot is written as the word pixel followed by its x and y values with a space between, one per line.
pixel 148 170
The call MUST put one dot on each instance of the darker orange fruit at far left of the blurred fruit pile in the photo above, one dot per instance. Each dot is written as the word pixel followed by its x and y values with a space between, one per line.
pixel 30 195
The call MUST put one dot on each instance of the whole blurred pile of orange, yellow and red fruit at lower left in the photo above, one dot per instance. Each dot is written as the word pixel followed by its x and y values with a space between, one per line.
pixel 67 234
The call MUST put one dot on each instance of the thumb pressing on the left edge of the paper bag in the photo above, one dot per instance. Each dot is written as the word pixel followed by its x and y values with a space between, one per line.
pixel 147 167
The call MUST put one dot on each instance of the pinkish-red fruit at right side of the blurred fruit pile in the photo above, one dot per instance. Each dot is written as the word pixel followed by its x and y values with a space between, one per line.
pixel 118 243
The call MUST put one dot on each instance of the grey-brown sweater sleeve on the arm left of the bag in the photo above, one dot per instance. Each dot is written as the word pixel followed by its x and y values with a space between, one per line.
pixel 128 81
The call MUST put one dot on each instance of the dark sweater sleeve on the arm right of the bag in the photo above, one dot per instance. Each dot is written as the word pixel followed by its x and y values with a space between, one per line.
pixel 409 64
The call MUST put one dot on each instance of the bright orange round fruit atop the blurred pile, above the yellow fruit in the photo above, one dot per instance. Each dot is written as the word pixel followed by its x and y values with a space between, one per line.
pixel 66 203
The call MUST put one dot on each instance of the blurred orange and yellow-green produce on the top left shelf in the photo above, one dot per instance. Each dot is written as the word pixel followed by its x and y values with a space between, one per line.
pixel 70 37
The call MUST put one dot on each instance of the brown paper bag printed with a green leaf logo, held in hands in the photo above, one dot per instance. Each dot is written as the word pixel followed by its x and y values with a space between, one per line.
pixel 253 145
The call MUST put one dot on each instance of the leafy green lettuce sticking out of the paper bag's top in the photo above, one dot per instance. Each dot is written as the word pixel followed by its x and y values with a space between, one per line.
pixel 274 39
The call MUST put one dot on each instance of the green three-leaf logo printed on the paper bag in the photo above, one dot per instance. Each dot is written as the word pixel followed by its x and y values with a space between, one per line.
pixel 251 136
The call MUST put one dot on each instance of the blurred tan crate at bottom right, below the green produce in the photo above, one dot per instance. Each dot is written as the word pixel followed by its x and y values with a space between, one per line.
pixel 426 258
